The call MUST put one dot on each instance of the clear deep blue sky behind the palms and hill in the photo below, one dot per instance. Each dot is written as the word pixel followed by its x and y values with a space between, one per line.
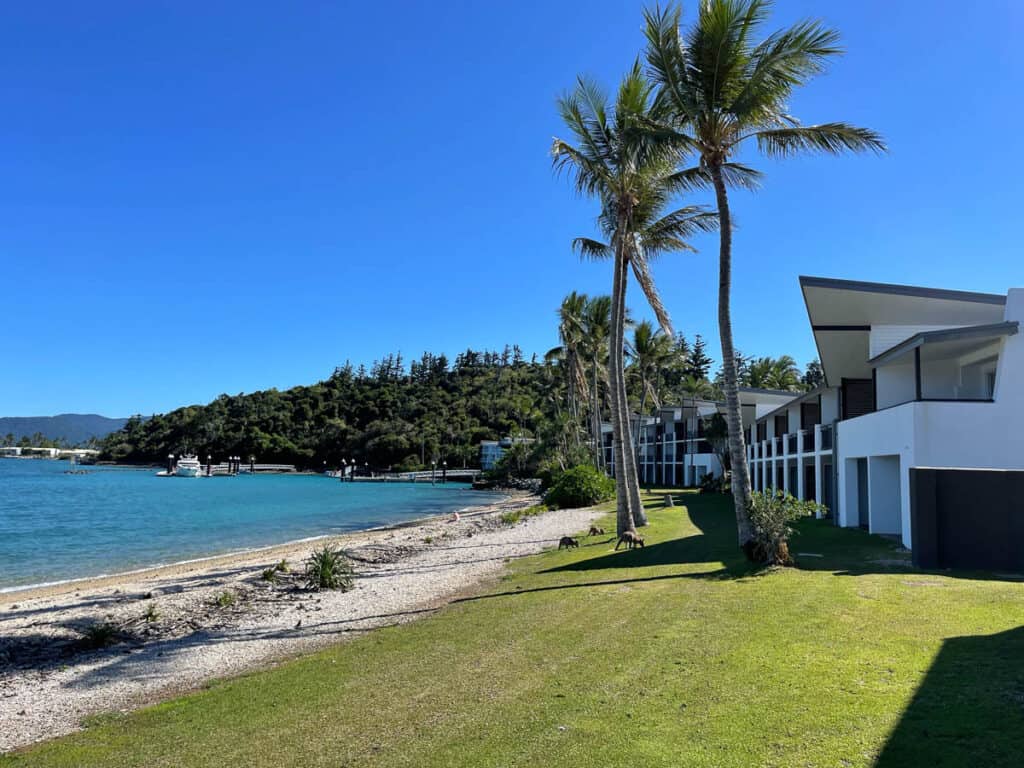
pixel 207 198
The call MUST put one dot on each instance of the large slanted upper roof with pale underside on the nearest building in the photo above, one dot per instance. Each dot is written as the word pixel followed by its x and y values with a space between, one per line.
pixel 842 314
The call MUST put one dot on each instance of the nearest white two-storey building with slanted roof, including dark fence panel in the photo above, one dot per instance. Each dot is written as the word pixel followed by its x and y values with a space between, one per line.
pixel 923 390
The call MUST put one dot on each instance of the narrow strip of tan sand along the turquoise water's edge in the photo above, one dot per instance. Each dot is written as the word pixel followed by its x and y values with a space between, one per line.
pixel 63 586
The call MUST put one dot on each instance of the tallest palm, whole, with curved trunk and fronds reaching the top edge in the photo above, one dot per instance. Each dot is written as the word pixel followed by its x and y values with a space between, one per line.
pixel 724 92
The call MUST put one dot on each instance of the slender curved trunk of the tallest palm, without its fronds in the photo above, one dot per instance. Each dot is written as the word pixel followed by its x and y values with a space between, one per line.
pixel 738 451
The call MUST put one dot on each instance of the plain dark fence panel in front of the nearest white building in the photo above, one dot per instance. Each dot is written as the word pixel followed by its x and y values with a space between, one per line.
pixel 968 519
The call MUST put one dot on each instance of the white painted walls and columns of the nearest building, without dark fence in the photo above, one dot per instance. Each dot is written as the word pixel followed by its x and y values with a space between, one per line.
pixel 954 402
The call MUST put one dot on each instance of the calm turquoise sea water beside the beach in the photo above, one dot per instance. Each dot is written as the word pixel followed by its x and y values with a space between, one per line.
pixel 56 527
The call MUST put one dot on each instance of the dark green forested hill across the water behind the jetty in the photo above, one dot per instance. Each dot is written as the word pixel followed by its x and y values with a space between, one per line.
pixel 393 415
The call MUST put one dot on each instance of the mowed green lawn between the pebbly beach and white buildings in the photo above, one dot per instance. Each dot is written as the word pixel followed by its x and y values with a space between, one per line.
pixel 678 655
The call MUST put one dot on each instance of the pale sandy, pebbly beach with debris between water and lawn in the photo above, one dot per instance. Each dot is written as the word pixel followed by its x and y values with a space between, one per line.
pixel 176 629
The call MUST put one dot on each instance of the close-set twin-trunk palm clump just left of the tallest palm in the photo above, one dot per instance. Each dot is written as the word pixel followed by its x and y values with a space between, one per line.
pixel 630 170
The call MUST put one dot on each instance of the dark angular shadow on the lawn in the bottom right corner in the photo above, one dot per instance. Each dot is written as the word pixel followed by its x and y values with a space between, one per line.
pixel 969 710
